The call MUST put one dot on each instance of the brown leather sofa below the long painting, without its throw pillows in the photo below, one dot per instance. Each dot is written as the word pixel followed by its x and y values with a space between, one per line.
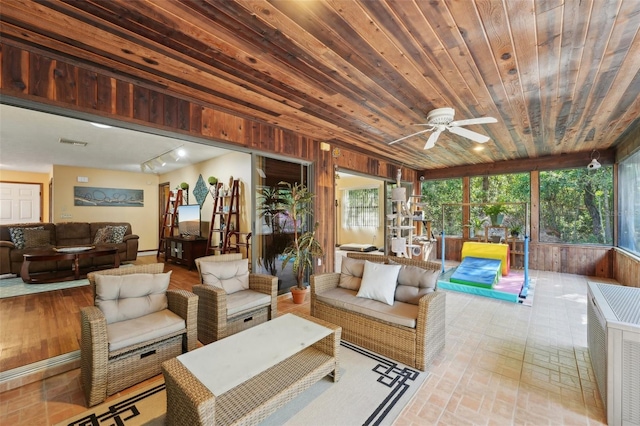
pixel 64 235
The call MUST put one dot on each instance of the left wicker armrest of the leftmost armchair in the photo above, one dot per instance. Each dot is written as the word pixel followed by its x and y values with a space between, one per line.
pixel 94 354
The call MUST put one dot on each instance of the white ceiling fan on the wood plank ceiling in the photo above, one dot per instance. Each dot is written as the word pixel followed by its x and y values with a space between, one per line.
pixel 441 119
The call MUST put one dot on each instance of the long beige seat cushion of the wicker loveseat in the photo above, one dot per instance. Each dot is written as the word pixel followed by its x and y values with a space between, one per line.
pixel 399 313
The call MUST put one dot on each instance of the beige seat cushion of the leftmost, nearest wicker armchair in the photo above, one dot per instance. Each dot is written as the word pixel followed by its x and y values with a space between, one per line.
pixel 138 330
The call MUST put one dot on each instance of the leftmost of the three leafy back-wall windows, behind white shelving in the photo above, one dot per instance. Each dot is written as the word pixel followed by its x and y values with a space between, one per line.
pixel 435 193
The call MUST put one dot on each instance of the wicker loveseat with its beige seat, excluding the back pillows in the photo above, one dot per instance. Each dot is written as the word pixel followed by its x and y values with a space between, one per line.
pixel 371 324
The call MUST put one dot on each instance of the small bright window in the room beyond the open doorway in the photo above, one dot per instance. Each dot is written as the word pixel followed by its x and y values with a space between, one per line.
pixel 361 208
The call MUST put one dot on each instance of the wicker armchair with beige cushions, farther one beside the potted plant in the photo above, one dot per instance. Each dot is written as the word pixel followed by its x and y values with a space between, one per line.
pixel 230 298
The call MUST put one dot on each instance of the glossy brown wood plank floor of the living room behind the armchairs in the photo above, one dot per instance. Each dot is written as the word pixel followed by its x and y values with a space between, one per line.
pixel 40 326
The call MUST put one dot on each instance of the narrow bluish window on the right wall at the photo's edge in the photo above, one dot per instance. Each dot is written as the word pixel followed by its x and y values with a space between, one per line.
pixel 629 204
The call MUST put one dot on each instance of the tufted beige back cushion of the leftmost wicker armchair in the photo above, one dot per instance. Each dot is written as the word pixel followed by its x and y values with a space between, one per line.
pixel 124 297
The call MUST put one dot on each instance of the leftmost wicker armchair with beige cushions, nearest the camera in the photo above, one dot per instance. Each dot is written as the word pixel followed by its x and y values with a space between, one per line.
pixel 134 326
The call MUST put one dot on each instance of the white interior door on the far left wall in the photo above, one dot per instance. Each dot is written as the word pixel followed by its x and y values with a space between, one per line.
pixel 20 203
